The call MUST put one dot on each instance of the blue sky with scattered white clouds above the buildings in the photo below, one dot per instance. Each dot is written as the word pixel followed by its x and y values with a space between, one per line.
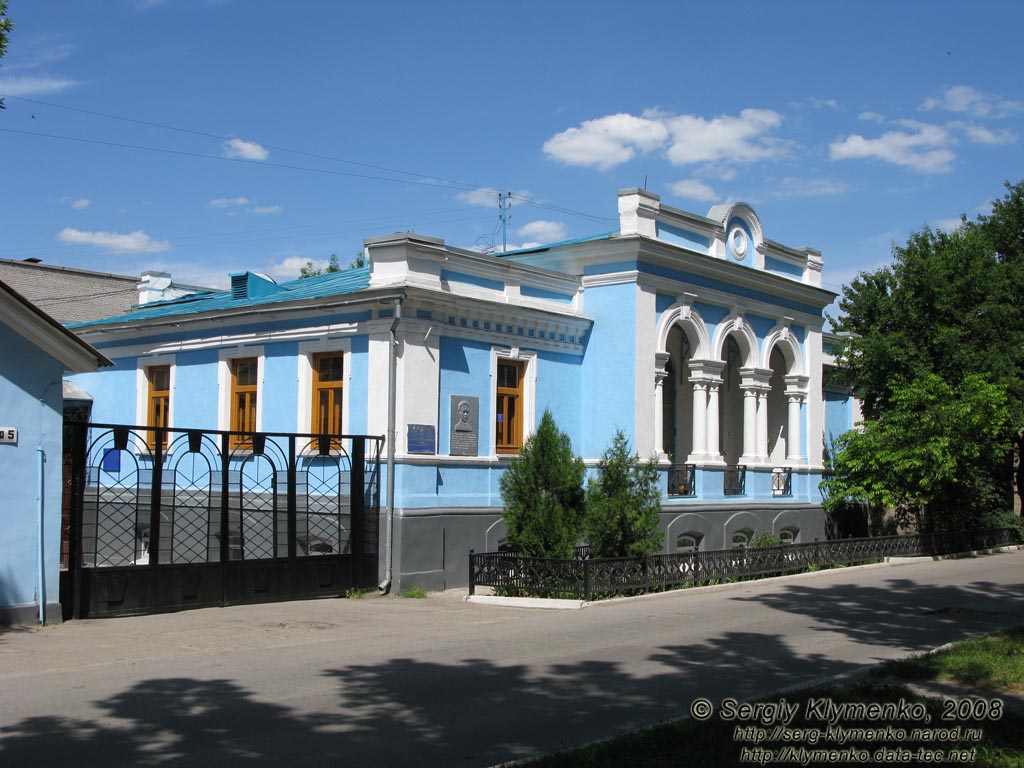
pixel 243 135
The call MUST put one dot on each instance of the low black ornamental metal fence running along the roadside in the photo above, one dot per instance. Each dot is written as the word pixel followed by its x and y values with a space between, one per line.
pixel 586 579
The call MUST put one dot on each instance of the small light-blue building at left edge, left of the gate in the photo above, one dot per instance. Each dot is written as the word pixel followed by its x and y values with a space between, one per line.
pixel 37 352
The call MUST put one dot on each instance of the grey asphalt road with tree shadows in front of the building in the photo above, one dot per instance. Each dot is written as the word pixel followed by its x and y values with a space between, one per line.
pixel 437 682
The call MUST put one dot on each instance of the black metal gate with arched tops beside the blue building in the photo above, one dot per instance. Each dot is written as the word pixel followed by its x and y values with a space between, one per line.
pixel 165 520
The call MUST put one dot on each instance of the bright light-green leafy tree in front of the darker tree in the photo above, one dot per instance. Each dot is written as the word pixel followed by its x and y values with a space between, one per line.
pixel 929 455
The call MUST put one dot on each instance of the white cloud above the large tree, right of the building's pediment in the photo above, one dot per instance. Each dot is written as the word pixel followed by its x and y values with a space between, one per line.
pixel 925 148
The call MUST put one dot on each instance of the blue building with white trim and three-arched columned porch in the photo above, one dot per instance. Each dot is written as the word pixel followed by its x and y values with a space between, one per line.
pixel 697 335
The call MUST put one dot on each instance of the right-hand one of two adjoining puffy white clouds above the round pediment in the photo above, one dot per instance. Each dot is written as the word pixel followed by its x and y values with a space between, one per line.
pixel 727 139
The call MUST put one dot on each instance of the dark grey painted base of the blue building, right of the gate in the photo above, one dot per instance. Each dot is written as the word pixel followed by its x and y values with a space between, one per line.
pixel 432 546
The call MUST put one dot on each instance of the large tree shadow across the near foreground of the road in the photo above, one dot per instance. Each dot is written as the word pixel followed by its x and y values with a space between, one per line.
pixel 405 711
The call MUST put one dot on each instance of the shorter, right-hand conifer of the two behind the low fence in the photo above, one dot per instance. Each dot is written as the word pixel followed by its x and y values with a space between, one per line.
pixel 623 504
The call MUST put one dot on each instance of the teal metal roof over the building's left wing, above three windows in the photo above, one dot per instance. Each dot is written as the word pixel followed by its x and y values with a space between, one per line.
pixel 332 284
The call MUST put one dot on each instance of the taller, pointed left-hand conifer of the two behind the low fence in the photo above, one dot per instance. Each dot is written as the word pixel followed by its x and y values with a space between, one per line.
pixel 542 491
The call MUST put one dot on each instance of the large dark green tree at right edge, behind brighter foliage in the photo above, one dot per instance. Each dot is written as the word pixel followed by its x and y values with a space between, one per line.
pixel 950 308
